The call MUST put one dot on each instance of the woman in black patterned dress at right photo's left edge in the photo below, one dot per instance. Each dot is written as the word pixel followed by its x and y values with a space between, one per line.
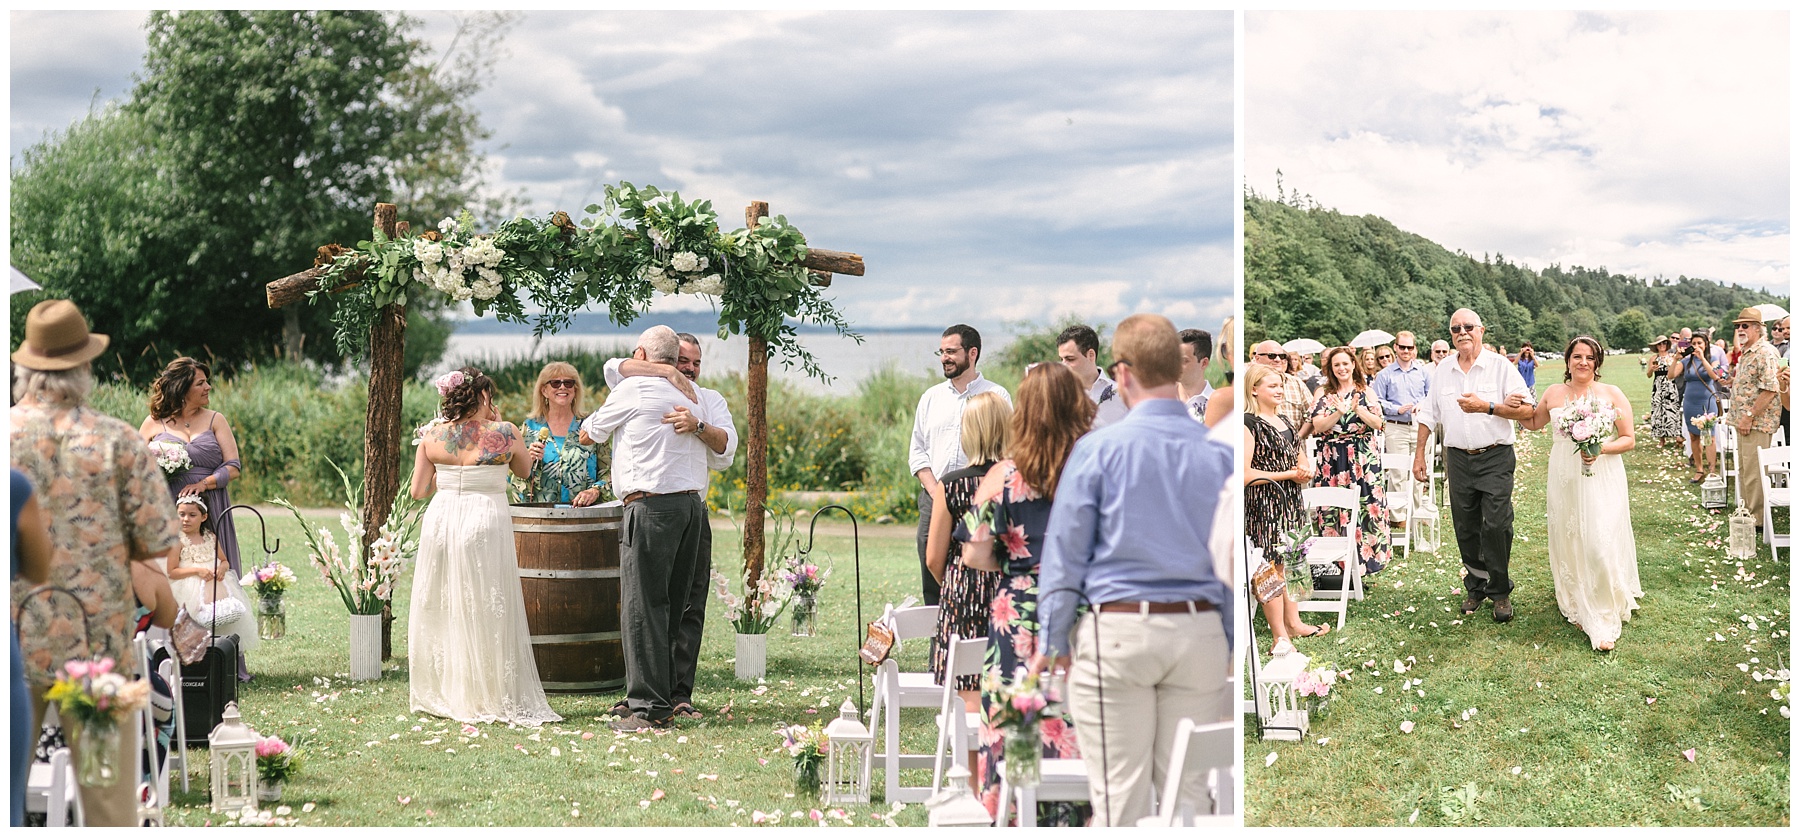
pixel 1272 501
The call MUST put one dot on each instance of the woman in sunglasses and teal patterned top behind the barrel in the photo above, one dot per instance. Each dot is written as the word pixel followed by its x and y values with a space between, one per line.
pixel 562 469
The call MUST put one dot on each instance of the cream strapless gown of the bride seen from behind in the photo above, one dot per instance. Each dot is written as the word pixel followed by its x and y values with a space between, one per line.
pixel 467 636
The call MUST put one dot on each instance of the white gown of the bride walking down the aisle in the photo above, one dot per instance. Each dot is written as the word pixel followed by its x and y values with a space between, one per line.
pixel 1594 555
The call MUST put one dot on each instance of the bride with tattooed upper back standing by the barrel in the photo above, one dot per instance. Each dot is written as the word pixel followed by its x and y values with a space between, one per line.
pixel 467 636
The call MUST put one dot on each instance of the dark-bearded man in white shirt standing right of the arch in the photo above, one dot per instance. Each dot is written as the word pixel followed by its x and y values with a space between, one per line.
pixel 939 429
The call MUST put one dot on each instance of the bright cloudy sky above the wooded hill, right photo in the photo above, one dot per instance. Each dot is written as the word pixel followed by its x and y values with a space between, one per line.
pixel 1646 143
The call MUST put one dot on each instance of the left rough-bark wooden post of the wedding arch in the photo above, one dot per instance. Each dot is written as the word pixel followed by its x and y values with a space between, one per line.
pixel 381 462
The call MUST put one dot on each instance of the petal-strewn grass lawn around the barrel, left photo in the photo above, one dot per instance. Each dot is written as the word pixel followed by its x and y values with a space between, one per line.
pixel 372 762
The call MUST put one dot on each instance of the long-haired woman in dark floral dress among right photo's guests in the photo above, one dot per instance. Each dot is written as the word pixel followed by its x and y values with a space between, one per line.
pixel 1345 418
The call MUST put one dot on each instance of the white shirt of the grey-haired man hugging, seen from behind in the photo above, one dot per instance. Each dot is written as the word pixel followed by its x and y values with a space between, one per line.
pixel 647 454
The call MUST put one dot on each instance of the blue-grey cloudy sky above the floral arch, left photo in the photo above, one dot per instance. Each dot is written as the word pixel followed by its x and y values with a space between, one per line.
pixel 987 166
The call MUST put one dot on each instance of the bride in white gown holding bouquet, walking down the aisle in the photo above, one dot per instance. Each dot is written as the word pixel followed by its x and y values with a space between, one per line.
pixel 1594 555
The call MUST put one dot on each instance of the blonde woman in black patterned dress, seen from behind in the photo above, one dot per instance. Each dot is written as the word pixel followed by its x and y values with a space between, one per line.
pixel 967 593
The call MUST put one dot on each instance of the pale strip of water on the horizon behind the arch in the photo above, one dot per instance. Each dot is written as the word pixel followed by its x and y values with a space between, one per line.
pixel 843 359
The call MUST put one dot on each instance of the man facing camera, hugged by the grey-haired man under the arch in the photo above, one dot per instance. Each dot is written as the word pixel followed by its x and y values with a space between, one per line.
pixel 712 424
